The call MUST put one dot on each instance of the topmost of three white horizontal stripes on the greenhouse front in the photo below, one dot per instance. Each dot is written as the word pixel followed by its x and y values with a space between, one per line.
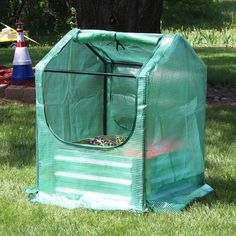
pixel 94 162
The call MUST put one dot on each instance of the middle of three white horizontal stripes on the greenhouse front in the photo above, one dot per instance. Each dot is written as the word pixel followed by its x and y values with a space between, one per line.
pixel 94 177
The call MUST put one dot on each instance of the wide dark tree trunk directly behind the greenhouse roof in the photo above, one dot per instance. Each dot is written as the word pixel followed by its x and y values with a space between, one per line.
pixel 120 15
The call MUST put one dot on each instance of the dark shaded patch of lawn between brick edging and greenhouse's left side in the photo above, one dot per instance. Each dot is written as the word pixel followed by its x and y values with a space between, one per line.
pixel 17 137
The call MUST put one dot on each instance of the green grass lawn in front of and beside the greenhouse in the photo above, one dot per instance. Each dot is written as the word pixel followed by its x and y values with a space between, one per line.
pixel 212 215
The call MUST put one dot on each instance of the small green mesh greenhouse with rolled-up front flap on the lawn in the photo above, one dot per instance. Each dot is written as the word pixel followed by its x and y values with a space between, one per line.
pixel 148 90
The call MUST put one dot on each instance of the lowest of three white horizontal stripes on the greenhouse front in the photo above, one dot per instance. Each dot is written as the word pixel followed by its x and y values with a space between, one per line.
pixel 95 194
